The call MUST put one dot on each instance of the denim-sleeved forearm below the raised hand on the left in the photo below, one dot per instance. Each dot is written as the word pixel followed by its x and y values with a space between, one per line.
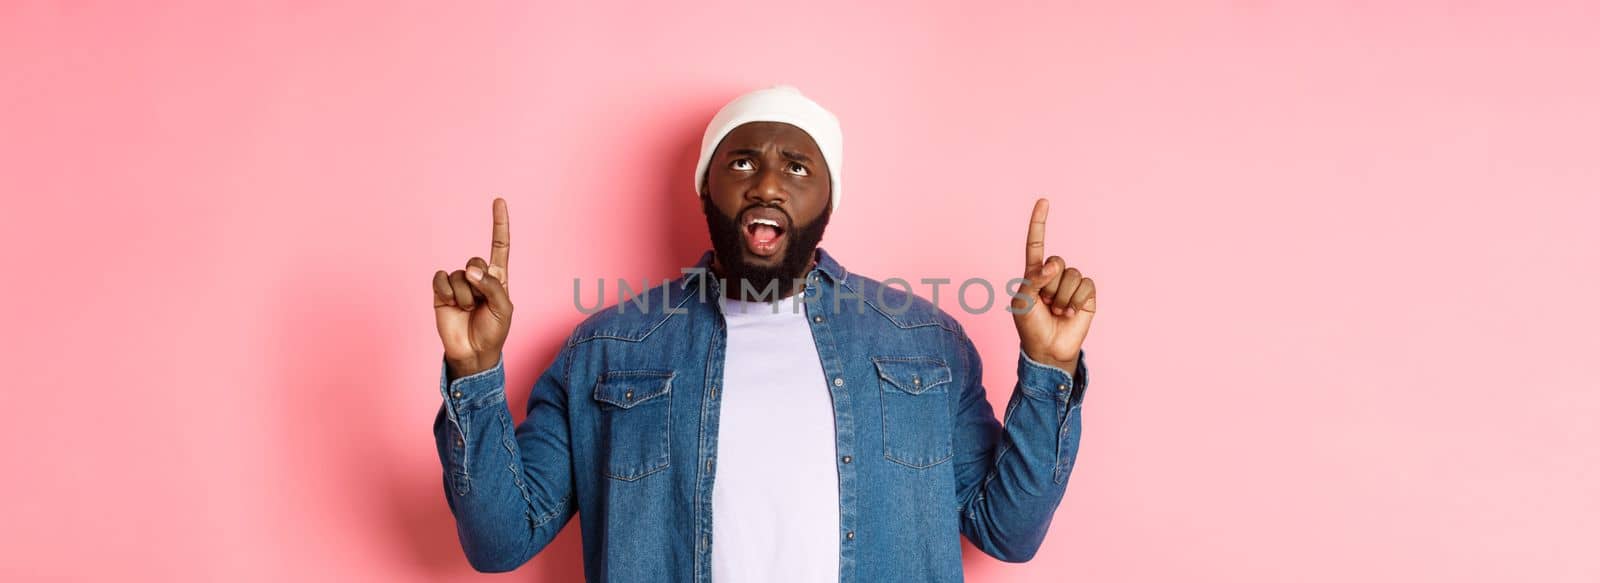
pixel 502 518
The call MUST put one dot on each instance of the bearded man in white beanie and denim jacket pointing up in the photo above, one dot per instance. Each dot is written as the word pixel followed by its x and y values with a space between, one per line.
pixel 834 430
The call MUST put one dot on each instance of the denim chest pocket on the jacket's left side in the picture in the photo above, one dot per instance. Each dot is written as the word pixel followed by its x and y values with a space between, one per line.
pixel 636 422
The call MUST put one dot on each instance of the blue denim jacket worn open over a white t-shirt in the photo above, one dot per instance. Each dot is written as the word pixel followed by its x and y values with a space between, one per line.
pixel 623 427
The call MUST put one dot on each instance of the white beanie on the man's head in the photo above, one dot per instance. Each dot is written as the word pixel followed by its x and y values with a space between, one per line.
pixel 785 105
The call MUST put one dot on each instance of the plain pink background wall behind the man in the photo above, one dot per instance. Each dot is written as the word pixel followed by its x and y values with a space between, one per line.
pixel 1346 259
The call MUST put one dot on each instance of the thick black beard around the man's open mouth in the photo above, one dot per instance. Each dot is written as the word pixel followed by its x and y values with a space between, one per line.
pixel 727 241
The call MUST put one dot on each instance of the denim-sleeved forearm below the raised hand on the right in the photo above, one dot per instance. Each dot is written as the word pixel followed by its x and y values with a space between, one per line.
pixel 1012 509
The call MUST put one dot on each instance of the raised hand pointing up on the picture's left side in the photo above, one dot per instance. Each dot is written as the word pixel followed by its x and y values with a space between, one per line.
pixel 473 307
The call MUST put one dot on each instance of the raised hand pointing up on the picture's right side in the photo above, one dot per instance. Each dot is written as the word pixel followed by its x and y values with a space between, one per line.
pixel 1058 302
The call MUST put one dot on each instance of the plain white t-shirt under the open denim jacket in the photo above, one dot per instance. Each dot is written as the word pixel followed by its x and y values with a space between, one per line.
pixel 775 501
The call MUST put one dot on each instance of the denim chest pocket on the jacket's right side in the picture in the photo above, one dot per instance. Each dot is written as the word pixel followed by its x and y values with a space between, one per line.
pixel 916 411
